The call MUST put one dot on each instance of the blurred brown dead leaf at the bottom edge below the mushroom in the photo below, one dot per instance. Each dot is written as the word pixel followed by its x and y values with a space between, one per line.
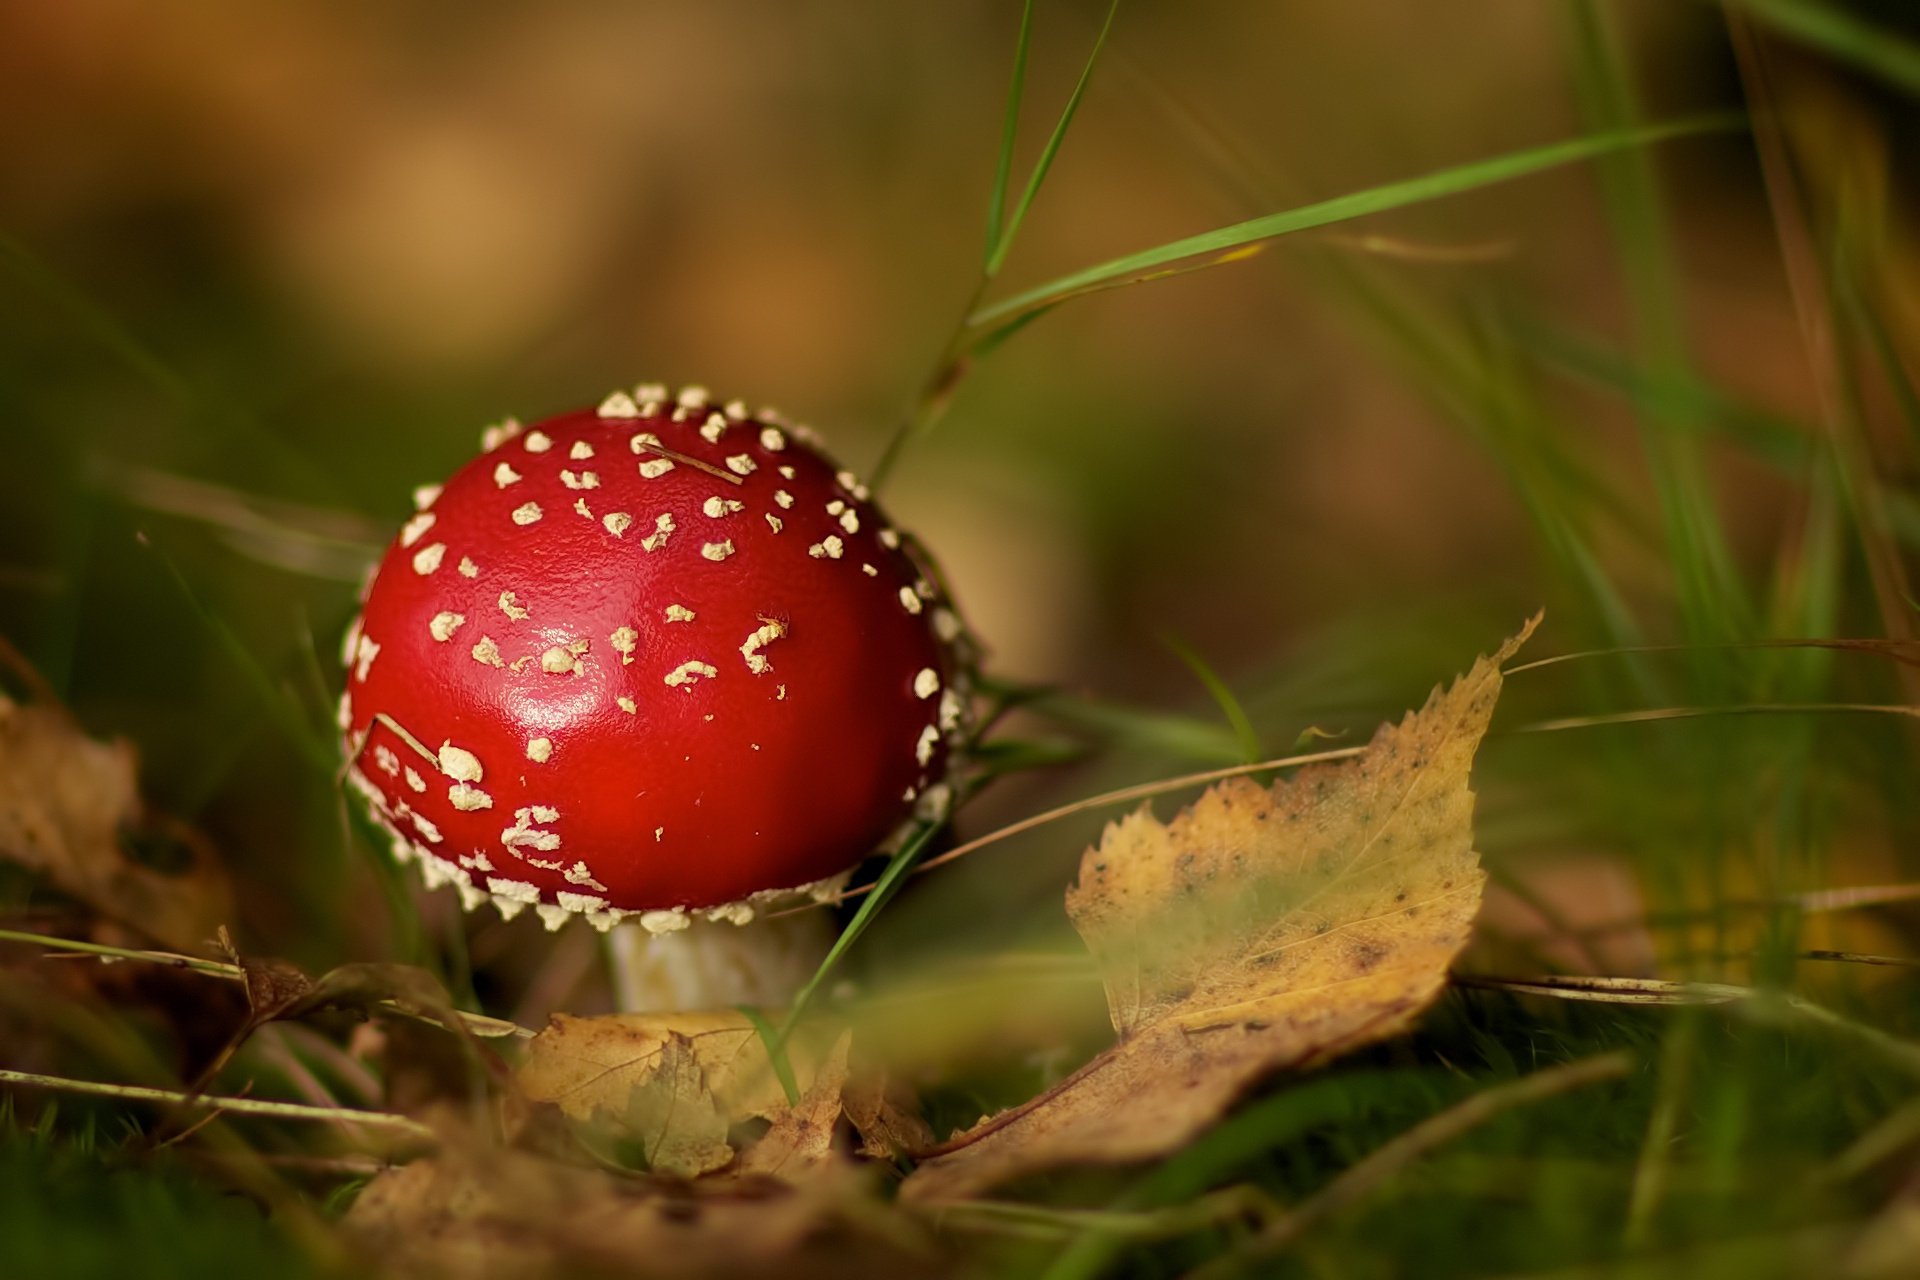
pixel 491 1214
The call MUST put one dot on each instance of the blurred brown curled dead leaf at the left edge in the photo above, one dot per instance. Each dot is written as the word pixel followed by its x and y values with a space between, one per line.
pixel 68 805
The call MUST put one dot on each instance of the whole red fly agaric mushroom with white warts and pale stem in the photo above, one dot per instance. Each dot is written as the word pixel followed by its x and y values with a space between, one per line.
pixel 654 663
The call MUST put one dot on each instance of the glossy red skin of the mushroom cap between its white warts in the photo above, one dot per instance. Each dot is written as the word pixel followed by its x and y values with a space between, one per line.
pixel 709 792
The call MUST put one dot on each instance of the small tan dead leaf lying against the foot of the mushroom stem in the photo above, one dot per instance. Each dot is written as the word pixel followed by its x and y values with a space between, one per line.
pixel 588 1066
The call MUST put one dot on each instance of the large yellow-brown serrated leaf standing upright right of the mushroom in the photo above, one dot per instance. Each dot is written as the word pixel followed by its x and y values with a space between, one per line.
pixel 1257 932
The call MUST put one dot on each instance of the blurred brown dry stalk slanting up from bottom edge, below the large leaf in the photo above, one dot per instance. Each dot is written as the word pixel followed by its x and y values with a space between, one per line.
pixel 1391 1160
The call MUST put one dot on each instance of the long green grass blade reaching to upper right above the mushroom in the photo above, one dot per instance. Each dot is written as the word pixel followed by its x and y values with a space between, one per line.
pixel 1356 204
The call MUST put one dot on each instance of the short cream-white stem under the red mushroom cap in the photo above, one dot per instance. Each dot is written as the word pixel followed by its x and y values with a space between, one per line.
pixel 717 964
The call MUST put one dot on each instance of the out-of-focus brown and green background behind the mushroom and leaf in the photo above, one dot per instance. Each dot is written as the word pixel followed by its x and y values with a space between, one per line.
pixel 268 268
